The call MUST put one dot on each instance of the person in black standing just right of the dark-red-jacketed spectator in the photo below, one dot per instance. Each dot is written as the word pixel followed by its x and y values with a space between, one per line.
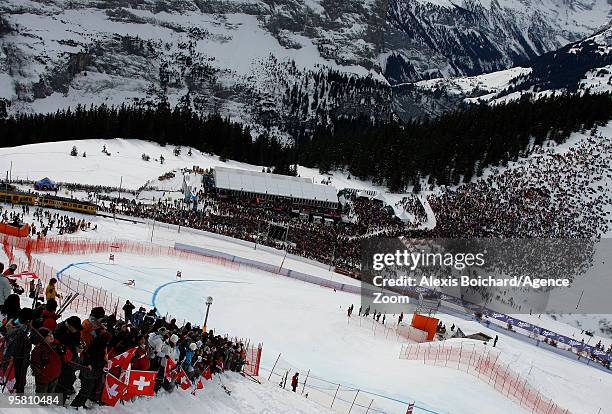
pixel 68 334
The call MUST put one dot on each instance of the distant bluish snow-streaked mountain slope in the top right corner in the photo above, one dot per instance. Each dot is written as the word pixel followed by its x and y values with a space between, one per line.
pixel 441 38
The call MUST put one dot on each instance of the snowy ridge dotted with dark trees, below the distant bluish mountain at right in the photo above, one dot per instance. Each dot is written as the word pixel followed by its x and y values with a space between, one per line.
pixel 581 66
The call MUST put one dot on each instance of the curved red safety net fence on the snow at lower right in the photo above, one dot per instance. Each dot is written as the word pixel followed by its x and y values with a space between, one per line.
pixel 483 363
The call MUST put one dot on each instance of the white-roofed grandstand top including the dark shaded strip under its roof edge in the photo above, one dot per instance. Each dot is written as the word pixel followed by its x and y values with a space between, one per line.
pixel 299 190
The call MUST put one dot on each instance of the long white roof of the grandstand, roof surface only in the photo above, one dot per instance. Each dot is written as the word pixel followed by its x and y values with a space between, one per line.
pixel 273 184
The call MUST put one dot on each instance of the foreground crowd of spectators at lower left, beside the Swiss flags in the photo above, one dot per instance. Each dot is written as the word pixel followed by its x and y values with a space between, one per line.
pixel 48 351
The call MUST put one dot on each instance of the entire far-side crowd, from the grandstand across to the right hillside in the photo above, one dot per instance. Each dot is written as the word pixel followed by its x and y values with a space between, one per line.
pixel 552 194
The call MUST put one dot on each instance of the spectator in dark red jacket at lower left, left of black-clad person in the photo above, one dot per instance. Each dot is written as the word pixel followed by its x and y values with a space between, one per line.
pixel 46 363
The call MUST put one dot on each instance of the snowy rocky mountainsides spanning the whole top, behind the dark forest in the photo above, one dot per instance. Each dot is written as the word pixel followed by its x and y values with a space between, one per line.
pixel 279 64
